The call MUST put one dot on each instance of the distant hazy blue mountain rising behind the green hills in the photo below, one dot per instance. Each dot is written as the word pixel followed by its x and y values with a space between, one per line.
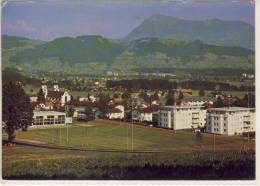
pixel 214 31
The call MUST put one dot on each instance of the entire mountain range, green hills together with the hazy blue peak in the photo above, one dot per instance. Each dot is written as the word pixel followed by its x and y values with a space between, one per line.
pixel 155 43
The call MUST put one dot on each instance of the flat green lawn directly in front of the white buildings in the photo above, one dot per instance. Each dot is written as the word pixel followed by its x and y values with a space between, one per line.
pixel 102 135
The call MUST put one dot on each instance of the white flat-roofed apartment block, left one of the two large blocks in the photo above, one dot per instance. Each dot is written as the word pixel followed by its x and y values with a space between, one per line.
pixel 181 117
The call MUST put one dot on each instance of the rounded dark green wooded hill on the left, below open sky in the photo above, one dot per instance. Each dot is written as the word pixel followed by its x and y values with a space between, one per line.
pixel 83 49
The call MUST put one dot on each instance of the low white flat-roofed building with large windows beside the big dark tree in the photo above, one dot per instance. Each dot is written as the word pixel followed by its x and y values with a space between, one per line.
pixel 48 119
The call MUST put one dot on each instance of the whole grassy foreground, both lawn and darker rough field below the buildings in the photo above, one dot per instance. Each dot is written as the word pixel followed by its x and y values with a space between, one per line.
pixel 186 156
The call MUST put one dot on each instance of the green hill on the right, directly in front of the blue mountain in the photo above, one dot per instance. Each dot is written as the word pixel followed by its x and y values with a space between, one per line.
pixel 170 53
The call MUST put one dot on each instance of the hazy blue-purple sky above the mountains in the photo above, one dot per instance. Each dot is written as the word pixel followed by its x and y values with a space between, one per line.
pixel 49 19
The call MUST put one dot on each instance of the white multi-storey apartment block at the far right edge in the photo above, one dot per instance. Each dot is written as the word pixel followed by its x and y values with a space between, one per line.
pixel 230 120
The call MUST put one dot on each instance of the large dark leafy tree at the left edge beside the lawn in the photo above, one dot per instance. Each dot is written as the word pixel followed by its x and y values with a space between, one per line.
pixel 17 110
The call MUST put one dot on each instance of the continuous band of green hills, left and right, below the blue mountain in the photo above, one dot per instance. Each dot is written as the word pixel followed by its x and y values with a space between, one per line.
pixel 95 54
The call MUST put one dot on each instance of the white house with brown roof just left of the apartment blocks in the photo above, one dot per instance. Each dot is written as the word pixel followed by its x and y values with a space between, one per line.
pixel 148 114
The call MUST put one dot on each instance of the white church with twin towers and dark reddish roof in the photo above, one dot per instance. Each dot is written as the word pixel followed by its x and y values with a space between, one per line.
pixel 55 95
